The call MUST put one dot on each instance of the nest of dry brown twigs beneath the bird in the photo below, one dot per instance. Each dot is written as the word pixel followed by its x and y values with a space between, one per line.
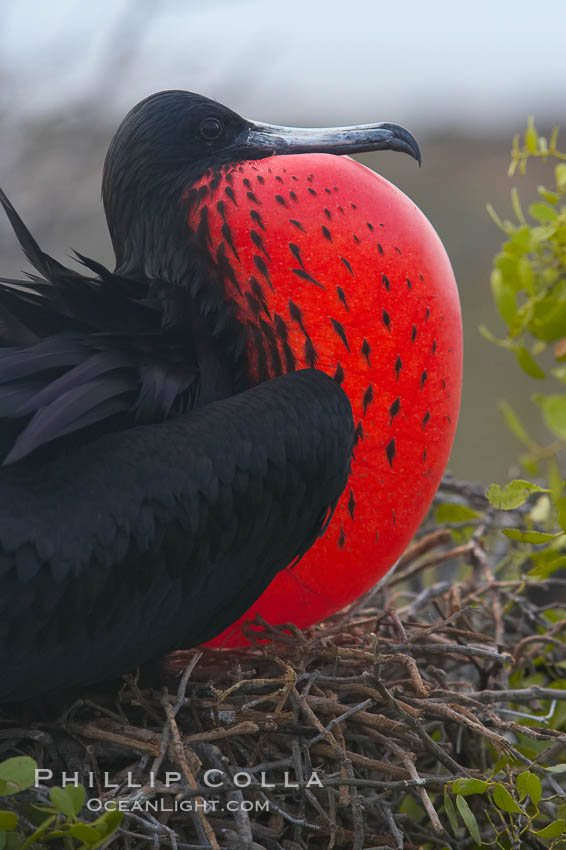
pixel 384 705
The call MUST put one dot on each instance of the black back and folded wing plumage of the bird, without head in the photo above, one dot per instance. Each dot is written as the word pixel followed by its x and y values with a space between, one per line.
pixel 121 540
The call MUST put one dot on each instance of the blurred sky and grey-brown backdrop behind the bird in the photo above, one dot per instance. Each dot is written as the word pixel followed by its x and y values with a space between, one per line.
pixel 462 78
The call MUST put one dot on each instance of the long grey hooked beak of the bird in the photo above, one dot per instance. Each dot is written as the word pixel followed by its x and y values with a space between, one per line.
pixel 270 139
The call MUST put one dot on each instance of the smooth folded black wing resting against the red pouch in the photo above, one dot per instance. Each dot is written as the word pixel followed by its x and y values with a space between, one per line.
pixel 159 536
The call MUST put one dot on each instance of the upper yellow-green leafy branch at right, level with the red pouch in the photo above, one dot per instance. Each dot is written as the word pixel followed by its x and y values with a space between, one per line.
pixel 528 282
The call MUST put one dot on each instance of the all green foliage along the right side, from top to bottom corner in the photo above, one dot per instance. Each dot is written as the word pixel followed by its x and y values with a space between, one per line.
pixel 510 807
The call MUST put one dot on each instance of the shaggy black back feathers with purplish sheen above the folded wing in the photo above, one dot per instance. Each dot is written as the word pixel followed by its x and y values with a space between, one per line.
pixel 78 350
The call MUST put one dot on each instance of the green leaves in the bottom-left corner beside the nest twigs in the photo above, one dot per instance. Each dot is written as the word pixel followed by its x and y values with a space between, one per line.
pixel 54 823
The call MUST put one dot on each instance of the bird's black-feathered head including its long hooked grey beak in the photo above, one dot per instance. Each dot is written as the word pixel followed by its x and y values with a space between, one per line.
pixel 169 140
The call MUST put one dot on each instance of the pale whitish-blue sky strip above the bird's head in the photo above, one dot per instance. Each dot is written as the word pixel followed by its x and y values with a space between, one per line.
pixel 472 65
